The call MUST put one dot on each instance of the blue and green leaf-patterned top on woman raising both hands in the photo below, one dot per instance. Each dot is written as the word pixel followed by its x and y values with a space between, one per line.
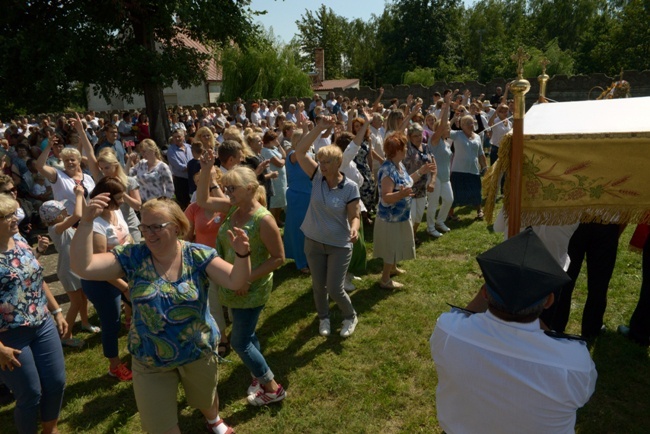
pixel 172 325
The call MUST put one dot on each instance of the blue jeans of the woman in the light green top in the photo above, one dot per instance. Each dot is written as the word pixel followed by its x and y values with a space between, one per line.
pixel 245 343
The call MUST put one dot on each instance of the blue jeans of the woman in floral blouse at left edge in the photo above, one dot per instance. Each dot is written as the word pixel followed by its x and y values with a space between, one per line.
pixel 38 384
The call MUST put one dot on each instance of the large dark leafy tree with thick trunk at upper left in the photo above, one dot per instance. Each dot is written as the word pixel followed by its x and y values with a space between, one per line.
pixel 123 47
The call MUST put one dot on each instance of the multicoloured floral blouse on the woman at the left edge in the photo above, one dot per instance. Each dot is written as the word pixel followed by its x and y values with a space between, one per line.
pixel 22 299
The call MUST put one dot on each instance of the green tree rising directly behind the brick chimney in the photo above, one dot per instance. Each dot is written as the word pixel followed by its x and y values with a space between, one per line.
pixel 327 30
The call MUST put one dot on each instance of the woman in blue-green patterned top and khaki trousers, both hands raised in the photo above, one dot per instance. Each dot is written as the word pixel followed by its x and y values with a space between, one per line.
pixel 173 338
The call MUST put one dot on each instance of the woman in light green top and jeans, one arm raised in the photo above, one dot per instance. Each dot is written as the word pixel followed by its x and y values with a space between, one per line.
pixel 245 211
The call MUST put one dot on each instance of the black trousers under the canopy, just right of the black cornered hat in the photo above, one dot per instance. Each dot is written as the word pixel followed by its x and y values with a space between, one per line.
pixel 598 243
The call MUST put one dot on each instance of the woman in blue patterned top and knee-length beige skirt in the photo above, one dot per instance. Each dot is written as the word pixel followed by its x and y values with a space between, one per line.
pixel 393 232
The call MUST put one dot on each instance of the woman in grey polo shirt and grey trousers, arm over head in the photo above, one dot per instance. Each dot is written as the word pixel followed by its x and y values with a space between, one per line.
pixel 331 227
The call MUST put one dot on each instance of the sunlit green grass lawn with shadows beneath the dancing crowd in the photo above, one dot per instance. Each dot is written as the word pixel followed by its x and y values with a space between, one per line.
pixel 382 378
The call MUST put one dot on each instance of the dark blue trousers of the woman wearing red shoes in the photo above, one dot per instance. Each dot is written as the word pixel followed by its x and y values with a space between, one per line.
pixel 106 299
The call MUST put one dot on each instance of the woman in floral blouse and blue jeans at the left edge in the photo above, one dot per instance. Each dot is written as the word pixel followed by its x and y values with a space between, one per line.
pixel 31 357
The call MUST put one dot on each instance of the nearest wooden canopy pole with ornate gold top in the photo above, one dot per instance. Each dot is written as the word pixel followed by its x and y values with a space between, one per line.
pixel 519 88
